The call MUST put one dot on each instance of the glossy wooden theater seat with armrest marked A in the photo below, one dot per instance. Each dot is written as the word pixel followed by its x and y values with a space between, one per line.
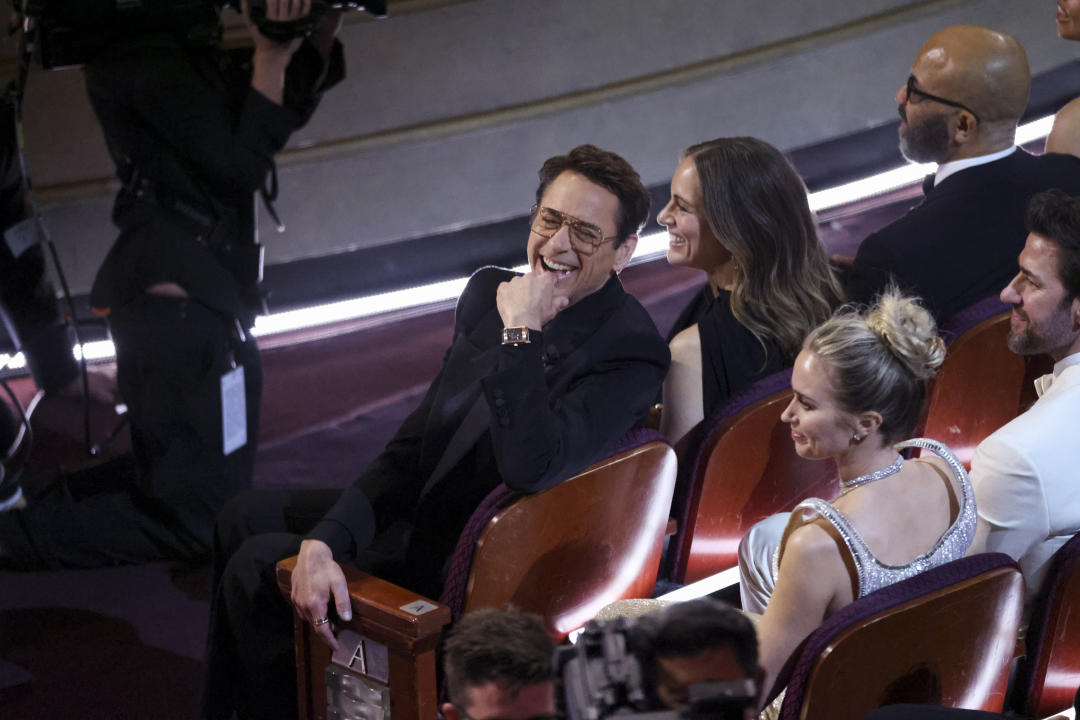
pixel 563 554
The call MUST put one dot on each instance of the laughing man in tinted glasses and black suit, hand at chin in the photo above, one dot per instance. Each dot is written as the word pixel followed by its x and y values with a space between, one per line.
pixel 546 370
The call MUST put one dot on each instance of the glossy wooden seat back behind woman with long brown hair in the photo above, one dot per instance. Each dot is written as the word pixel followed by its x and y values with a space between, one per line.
pixel 745 470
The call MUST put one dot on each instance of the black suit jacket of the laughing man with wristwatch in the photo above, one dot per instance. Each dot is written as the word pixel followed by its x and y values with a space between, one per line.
pixel 552 406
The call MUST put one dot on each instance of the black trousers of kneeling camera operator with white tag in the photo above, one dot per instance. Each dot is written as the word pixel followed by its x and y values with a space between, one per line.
pixel 171 355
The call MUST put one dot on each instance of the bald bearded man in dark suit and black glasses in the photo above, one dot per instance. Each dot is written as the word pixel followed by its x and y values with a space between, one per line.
pixel 961 106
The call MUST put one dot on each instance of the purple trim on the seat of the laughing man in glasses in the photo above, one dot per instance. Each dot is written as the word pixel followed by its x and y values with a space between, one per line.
pixel 502 497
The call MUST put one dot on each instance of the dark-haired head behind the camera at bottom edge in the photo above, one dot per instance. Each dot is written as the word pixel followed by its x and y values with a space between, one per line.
pixel 699 650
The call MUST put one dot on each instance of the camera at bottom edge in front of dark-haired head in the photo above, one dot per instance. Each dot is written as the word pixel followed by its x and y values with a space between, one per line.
pixel 606 674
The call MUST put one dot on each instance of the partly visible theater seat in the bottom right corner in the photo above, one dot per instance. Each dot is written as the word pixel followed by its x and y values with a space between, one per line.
pixel 1048 677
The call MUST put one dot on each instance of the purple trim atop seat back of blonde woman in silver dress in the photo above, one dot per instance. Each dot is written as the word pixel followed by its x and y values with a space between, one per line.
pixel 874 604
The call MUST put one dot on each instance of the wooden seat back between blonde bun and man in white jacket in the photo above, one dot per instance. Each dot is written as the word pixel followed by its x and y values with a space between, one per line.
pixel 982 385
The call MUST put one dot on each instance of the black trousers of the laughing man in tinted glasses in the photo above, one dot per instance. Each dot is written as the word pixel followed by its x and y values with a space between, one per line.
pixel 251 664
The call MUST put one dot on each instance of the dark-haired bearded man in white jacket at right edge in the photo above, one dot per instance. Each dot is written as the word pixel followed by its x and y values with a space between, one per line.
pixel 1024 474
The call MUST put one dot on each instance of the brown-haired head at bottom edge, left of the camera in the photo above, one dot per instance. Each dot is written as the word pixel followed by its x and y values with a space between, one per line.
pixel 498 667
